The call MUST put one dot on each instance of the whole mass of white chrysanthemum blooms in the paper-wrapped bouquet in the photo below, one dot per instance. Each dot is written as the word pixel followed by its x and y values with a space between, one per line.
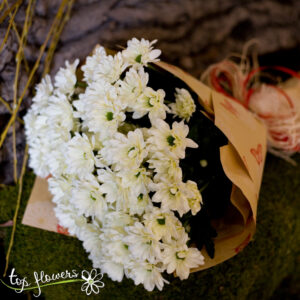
pixel 117 187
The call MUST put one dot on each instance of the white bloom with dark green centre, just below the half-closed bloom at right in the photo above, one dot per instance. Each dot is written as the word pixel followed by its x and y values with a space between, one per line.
pixel 172 141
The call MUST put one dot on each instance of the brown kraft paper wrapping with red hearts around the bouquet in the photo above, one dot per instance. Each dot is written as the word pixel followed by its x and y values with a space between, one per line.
pixel 242 160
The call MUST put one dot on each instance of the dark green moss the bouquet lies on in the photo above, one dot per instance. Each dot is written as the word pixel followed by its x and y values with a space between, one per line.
pixel 255 273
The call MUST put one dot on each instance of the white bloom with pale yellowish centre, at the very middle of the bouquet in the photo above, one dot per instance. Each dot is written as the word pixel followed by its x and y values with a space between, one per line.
pixel 125 152
